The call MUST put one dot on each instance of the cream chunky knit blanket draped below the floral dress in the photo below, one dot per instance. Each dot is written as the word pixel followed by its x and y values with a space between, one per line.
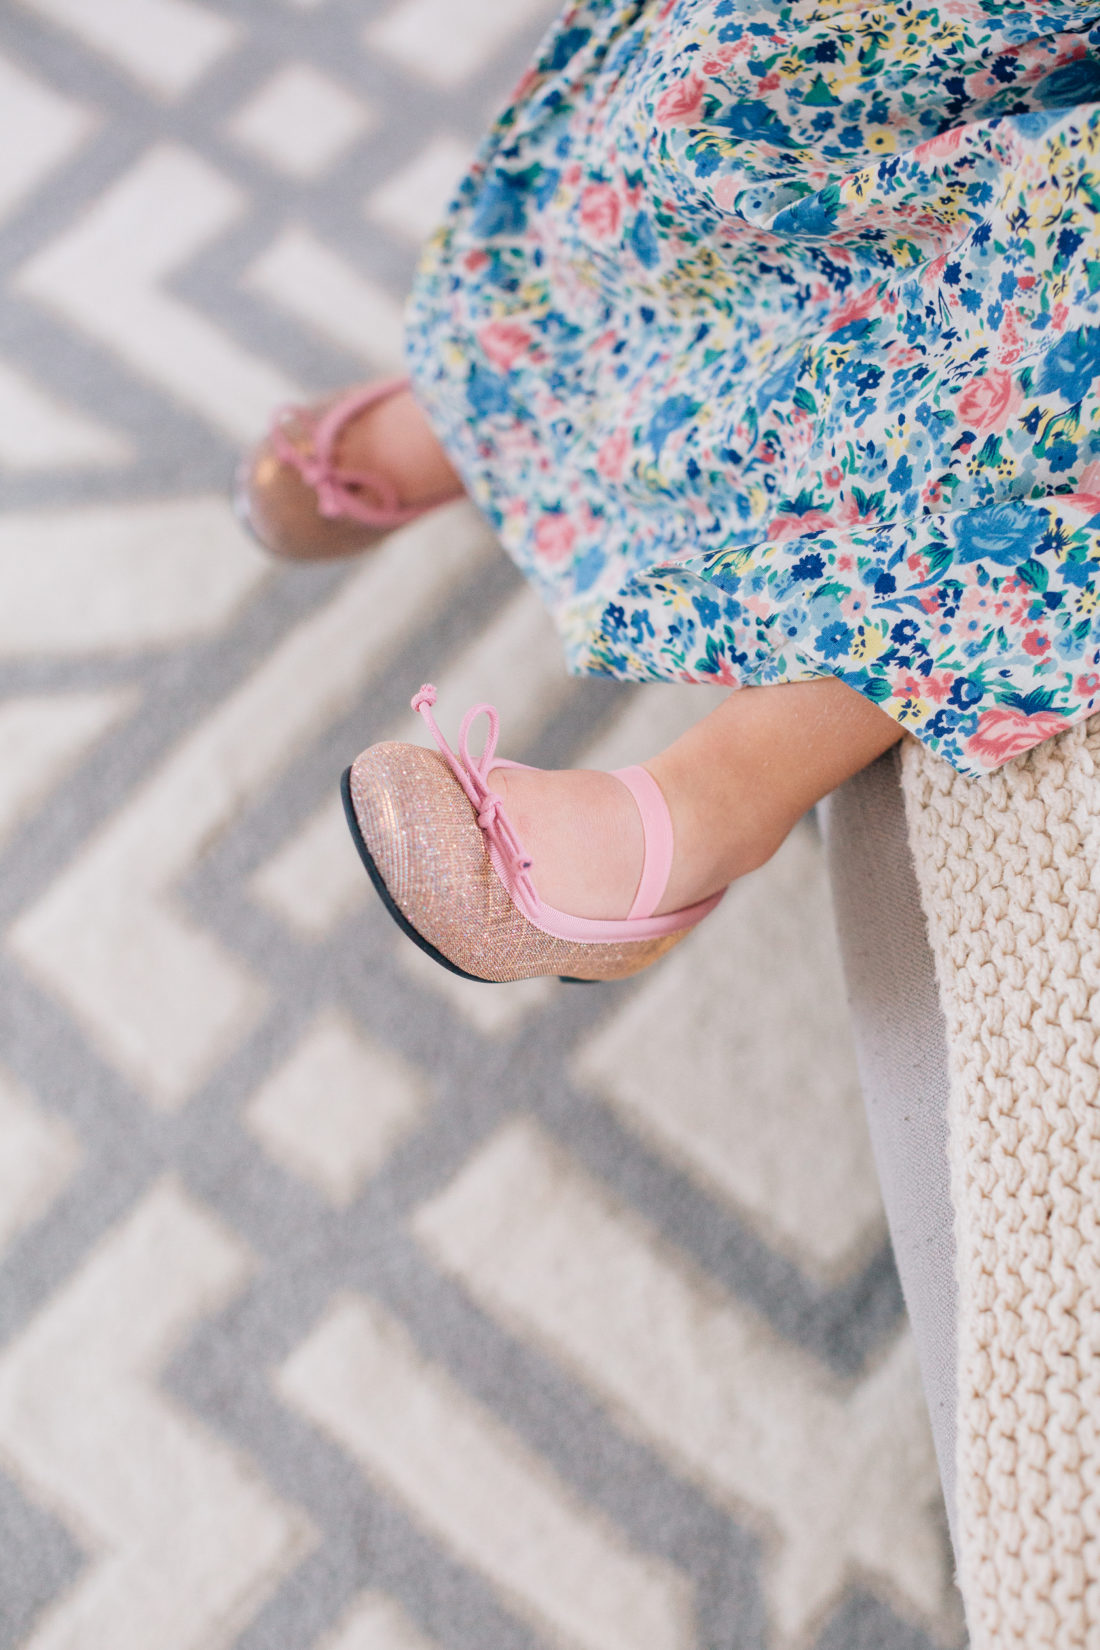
pixel 1010 879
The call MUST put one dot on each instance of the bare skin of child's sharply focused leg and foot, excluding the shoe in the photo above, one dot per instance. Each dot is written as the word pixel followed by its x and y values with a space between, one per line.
pixel 735 785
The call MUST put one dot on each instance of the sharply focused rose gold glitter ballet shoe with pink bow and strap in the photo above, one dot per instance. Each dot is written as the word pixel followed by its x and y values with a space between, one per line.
pixel 453 874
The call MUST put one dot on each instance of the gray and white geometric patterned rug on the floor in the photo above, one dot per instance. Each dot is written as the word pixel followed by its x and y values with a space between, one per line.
pixel 347 1306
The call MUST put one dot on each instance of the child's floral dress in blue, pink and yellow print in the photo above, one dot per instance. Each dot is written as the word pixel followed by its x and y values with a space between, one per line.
pixel 768 336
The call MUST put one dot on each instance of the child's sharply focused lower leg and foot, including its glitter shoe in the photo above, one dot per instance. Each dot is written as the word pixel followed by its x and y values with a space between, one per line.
pixel 583 874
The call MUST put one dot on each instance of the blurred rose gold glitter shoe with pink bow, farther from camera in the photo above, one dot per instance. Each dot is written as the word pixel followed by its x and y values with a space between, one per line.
pixel 298 502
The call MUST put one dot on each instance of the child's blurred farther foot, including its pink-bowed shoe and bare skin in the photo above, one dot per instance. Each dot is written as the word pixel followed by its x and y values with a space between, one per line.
pixel 334 478
